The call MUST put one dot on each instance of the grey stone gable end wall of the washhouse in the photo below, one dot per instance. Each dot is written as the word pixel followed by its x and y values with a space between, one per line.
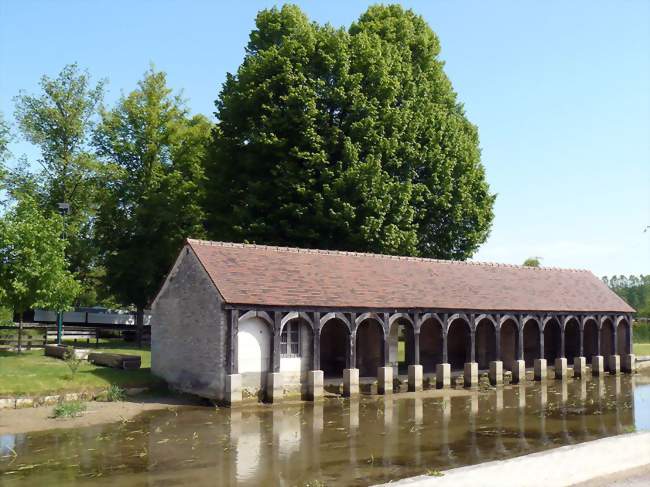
pixel 188 331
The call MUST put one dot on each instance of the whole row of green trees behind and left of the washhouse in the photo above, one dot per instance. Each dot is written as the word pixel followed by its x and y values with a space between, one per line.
pixel 347 139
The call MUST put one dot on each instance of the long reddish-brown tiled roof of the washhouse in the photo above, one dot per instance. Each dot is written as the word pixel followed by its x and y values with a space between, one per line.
pixel 281 276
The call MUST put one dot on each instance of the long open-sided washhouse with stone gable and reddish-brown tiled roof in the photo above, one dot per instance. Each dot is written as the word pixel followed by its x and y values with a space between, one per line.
pixel 235 322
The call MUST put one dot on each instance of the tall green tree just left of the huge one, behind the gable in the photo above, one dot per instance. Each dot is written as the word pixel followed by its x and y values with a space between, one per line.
pixel 153 198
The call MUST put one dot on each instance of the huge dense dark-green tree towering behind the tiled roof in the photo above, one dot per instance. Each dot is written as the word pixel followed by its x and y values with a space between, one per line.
pixel 346 139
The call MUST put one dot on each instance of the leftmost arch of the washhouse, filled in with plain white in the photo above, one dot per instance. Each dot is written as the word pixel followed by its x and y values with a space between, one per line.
pixel 253 352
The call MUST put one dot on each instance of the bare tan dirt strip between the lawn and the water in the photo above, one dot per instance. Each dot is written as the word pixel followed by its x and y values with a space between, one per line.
pixel 14 421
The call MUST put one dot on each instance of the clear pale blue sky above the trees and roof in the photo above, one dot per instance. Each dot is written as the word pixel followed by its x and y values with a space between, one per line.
pixel 560 92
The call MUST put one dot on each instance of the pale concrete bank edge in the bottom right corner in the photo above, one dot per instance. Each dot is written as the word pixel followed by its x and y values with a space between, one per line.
pixel 558 467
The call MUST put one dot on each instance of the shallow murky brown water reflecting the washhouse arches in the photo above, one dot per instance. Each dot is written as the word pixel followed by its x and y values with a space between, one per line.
pixel 336 442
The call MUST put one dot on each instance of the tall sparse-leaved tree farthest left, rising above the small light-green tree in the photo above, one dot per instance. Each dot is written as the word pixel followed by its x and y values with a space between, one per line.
pixel 59 121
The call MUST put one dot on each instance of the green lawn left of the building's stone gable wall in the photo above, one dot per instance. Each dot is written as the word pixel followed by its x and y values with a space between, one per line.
pixel 32 373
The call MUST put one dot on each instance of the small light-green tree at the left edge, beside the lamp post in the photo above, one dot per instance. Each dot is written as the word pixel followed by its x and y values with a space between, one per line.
pixel 33 270
